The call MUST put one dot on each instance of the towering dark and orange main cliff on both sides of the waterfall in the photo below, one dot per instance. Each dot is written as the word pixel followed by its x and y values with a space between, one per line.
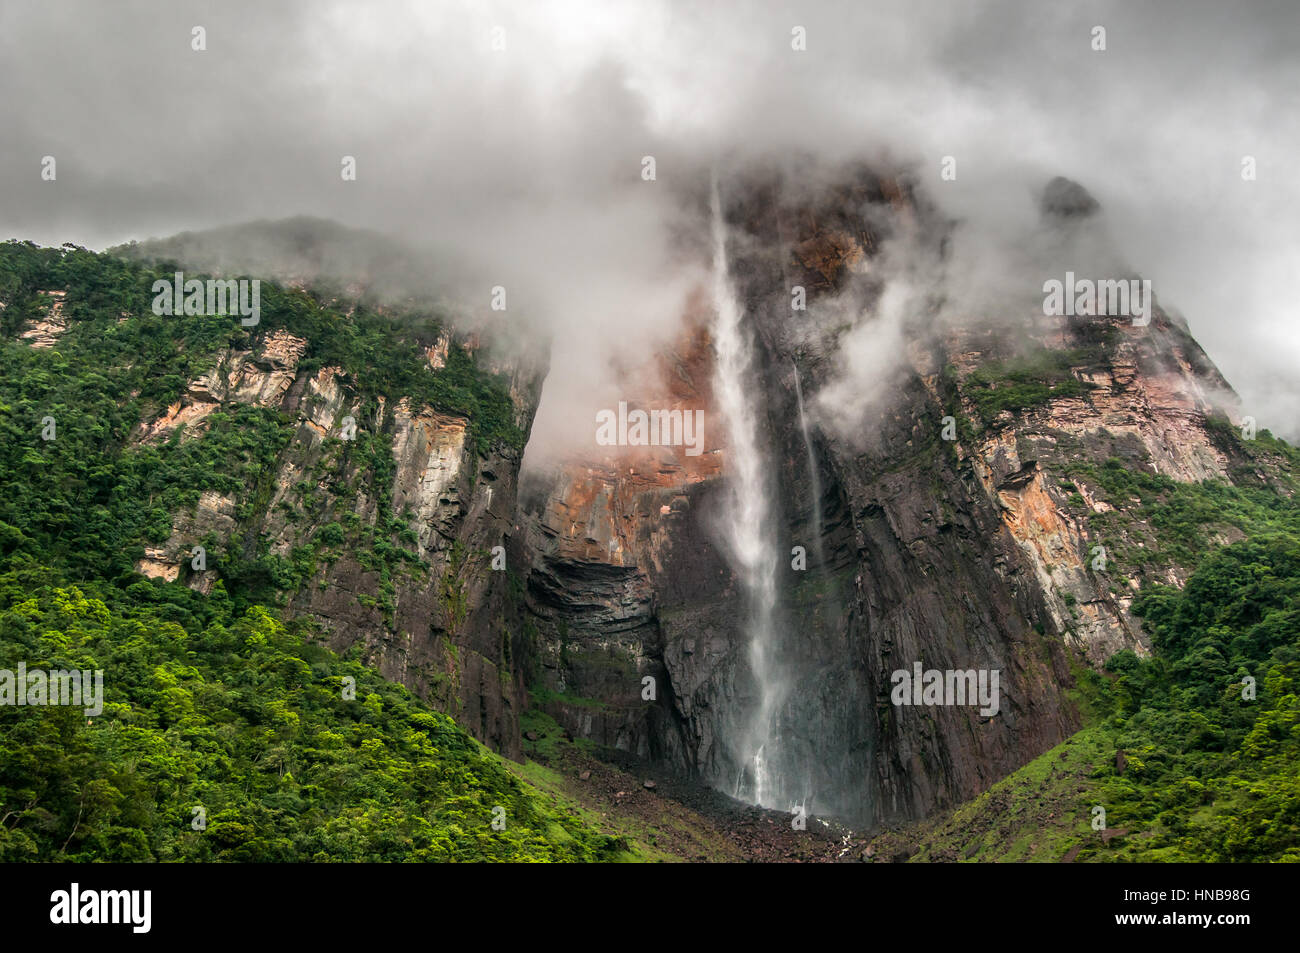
pixel 968 549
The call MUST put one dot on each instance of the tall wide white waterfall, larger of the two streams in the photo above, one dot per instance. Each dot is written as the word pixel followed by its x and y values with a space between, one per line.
pixel 748 522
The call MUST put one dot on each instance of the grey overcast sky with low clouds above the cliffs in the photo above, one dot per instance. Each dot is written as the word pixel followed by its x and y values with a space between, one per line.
pixel 527 159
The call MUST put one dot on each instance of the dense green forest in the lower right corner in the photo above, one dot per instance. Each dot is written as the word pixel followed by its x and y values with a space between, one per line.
pixel 1211 724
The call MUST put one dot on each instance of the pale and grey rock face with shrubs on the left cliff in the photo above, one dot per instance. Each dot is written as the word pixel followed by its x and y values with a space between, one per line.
pixel 353 474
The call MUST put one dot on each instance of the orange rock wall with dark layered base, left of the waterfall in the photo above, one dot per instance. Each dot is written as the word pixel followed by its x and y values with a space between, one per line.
pixel 616 553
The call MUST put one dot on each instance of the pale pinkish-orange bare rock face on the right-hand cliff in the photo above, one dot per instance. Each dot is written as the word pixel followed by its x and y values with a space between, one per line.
pixel 1149 406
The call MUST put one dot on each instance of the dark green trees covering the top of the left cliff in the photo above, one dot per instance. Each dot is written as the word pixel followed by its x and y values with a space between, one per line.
pixel 145 362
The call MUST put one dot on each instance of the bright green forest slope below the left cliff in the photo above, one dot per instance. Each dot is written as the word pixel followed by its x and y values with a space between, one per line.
pixel 241 725
